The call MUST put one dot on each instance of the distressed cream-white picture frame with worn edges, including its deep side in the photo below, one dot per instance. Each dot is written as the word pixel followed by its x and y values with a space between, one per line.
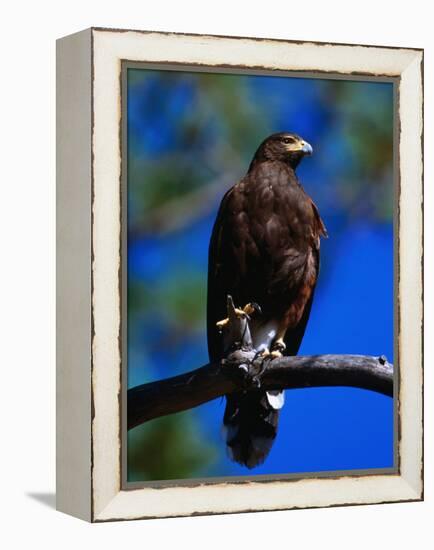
pixel 89 236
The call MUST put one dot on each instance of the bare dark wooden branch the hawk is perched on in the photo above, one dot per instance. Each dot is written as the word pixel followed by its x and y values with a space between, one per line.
pixel 189 390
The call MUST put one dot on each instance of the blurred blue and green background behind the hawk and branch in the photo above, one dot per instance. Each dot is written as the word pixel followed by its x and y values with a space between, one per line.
pixel 190 137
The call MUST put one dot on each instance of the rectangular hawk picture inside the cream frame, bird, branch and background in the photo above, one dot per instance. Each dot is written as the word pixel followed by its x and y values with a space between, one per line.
pixel 258 275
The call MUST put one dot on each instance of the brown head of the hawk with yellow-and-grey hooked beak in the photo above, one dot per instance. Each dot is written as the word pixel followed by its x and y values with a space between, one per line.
pixel 286 147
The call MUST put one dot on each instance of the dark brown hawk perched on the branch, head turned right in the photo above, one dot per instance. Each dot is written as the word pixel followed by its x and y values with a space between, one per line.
pixel 264 250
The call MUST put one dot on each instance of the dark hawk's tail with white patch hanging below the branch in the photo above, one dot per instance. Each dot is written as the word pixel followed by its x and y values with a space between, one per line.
pixel 250 425
